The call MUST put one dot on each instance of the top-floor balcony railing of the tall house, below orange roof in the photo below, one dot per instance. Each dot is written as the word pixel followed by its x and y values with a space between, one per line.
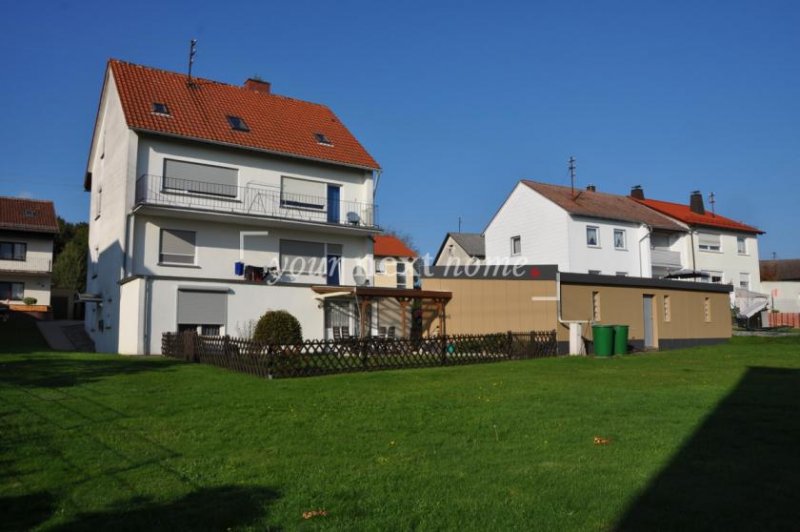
pixel 256 200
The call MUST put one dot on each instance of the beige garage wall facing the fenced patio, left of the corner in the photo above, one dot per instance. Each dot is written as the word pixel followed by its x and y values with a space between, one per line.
pixel 483 306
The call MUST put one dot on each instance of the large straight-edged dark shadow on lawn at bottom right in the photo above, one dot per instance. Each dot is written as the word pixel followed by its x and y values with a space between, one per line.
pixel 739 470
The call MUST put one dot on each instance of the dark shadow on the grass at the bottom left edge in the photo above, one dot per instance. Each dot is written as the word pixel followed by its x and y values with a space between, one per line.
pixel 221 508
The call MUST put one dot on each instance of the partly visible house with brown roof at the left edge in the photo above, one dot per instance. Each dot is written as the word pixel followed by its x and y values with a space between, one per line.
pixel 27 230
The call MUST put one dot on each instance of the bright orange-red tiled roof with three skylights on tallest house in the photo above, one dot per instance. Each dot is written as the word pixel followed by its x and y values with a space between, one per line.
pixel 199 111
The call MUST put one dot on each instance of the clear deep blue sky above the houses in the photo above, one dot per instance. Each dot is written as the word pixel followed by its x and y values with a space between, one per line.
pixel 456 100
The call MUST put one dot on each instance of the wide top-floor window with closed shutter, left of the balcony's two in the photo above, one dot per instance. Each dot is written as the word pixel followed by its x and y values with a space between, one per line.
pixel 200 178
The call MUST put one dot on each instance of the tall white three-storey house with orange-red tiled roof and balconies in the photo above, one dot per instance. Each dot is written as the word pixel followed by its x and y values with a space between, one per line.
pixel 212 203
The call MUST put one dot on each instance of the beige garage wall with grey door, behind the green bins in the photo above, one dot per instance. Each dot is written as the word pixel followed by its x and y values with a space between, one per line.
pixel 624 305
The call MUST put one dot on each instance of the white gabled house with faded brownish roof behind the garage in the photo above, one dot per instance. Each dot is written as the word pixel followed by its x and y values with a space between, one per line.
pixel 582 231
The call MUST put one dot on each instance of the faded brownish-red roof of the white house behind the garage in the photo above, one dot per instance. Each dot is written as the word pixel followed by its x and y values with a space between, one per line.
pixel 602 205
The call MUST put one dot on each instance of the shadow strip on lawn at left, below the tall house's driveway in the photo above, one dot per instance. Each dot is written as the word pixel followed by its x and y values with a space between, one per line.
pixel 54 371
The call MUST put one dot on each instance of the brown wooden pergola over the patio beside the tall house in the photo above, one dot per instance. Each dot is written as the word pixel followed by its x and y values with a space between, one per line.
pixel 366 295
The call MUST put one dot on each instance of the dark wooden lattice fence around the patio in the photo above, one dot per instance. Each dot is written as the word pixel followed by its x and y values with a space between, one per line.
pixel 321 357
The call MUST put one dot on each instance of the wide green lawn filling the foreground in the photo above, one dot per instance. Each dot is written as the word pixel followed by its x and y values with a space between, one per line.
pixel 707 438
